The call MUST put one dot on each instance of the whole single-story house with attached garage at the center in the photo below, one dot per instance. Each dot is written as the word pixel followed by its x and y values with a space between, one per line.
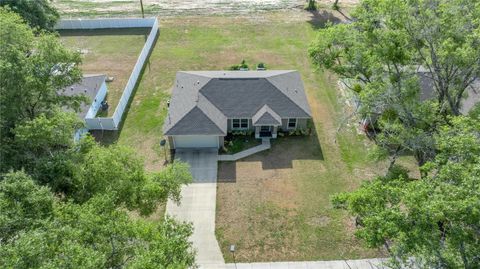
pixel 206 105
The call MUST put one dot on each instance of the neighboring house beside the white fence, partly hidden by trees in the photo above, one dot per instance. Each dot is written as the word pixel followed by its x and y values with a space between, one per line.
pixel 95 88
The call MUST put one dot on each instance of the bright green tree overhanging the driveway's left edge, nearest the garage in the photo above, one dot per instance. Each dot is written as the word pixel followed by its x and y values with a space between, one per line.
pixel 119 171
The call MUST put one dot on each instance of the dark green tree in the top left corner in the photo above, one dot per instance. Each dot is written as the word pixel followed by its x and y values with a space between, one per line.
pixel 38 14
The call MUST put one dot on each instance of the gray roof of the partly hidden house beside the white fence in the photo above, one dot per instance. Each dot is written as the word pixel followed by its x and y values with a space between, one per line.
pixel 88 86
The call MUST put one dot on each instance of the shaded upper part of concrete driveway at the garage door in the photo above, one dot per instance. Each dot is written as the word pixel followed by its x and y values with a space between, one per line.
pixel 203 163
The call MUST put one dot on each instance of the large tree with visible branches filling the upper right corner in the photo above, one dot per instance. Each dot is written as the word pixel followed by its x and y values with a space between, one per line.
pixel 381 52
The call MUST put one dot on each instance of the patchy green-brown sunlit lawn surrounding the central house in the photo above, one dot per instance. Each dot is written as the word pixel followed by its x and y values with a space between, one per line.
pixel 274 205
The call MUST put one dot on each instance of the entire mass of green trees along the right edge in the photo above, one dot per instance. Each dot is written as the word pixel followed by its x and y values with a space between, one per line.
pixel 383 55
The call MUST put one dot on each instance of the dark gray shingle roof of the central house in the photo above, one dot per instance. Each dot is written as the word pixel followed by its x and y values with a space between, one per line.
pixel 233 94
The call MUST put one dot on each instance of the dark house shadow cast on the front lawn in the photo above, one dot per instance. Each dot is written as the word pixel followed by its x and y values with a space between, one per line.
pixel 281 155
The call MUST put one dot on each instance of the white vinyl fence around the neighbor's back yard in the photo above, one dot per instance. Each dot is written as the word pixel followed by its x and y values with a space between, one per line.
pixel 113 123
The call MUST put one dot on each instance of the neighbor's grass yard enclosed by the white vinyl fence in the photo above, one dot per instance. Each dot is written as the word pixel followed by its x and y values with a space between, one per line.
pixel 110 52
